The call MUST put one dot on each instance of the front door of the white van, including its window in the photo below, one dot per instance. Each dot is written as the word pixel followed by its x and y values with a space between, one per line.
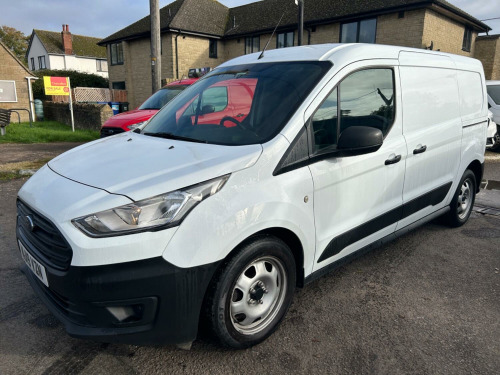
pixel 357 199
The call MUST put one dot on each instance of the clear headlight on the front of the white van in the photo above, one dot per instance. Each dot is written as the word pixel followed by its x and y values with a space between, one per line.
pixel 159 212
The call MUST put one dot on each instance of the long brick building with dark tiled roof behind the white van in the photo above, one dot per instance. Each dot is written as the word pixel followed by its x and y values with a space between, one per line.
pixel 205 33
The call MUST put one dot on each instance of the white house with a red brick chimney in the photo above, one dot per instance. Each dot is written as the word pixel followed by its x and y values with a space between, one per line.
pixel 66 51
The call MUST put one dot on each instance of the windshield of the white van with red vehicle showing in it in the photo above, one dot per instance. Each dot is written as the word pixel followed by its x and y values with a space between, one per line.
pixel 238 105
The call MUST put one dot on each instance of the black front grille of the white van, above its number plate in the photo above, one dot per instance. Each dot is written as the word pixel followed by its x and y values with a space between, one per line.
pixel 43 238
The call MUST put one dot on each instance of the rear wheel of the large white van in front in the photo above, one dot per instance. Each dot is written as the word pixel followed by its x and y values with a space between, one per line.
pixel 463 200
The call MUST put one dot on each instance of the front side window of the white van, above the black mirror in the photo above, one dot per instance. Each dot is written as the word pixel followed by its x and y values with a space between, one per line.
pixel 365 98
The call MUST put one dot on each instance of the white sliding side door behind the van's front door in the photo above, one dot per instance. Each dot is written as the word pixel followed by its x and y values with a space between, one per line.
pixel 432 128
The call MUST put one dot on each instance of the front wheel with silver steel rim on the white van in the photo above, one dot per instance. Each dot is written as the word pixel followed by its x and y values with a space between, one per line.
pixel 251 292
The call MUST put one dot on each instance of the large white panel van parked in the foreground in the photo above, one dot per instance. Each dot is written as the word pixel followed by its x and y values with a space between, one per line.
pixel 331 151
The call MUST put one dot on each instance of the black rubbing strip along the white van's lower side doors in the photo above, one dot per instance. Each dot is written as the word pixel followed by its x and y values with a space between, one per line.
pixel 339 243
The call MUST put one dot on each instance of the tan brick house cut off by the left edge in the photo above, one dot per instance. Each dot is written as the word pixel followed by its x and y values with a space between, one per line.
pixel 15 86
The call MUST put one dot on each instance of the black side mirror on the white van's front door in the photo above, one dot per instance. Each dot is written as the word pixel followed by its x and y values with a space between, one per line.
pixel 359 140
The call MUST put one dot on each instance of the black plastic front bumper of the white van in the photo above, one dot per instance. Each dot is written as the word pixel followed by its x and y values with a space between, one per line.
pixel 166 300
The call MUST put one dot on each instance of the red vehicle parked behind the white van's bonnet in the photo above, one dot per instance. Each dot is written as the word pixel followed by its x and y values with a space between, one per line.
pixel 127 121
